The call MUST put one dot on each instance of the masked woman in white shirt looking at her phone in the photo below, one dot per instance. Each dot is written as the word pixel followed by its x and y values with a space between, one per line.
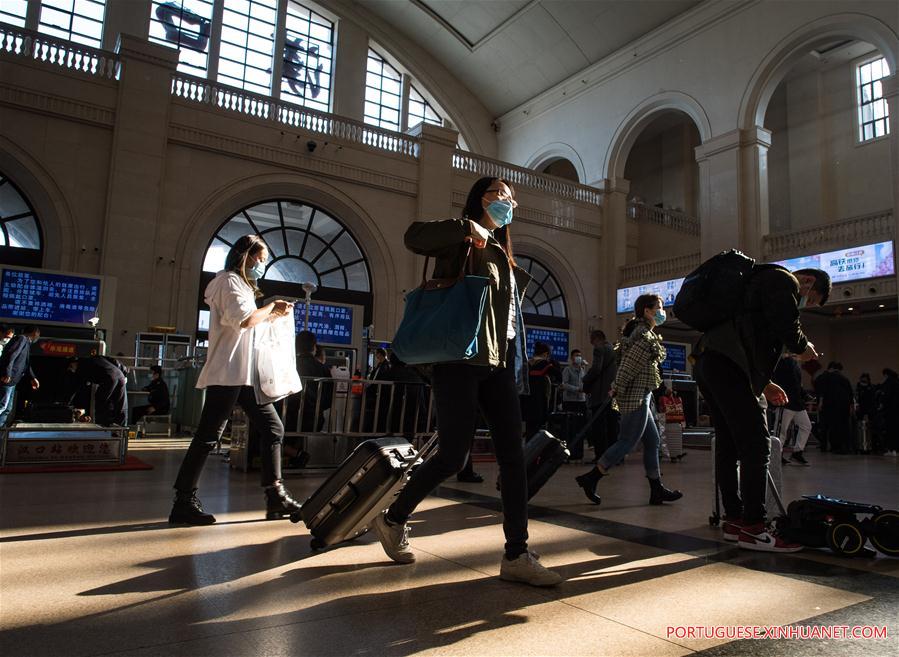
pixel 227 377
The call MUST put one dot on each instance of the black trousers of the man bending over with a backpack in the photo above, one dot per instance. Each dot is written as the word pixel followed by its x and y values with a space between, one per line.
pixel 741 434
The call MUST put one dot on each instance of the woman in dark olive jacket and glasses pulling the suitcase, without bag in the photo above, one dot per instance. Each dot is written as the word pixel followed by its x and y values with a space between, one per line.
pixel 491 380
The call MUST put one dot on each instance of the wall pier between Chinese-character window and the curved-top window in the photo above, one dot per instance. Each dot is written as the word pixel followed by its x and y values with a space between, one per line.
pixel 350 63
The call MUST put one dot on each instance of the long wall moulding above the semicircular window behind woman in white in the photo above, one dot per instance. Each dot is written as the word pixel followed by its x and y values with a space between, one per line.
pixel 214 142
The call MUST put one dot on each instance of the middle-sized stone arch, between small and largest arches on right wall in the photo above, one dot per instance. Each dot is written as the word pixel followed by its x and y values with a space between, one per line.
pixel 641 116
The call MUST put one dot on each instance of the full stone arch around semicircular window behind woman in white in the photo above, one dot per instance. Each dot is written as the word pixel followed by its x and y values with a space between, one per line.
pixel 232 196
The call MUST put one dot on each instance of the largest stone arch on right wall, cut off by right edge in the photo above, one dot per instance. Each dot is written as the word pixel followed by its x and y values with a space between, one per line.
pixel 798 43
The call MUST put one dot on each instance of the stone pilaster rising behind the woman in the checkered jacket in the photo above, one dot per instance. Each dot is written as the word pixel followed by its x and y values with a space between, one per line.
pixel 617 237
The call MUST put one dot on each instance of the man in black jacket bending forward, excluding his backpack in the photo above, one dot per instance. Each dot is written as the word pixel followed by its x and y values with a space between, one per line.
pixel 734 364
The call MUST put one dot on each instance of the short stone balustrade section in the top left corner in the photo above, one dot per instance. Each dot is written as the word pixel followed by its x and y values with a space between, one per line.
pixel 19 42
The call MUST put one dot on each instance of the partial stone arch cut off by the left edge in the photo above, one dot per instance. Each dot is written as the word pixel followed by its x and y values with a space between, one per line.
pixel 60 234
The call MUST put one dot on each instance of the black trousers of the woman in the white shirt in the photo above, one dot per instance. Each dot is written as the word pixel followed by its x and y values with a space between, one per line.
pixel 264 420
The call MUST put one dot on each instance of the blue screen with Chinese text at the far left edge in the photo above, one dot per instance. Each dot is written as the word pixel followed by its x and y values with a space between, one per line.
pixel 41 296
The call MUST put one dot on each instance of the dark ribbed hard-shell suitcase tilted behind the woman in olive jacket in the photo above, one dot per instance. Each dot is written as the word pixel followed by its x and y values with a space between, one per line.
pixel 365 484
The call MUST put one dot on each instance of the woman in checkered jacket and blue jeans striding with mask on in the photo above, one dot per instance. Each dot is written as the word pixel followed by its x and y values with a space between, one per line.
pixel 641 352
